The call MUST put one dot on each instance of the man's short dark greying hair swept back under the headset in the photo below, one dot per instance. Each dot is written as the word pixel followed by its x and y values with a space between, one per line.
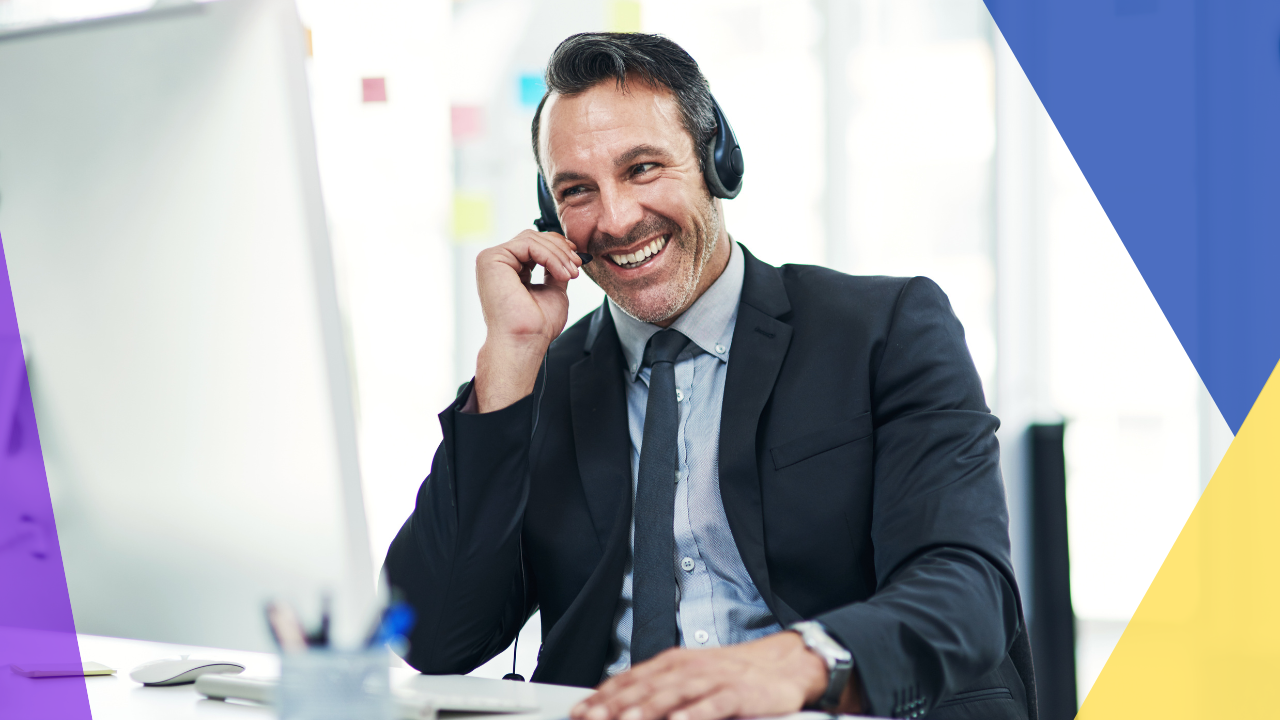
pixel 584 61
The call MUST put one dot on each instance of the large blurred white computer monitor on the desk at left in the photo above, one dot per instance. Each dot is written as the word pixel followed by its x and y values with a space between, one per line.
pixel 166 238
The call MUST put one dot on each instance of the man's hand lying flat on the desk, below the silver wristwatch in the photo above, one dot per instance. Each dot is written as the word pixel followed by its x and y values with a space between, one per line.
pixel 772 676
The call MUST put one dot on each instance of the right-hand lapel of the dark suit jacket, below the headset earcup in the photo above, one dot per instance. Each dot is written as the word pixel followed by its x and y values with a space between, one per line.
pixel 761 344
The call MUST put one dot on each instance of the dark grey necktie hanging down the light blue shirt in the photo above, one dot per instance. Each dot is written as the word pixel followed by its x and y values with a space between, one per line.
pixel 653 560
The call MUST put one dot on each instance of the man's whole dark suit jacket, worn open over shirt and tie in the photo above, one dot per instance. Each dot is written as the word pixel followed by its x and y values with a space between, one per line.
pixel 860 472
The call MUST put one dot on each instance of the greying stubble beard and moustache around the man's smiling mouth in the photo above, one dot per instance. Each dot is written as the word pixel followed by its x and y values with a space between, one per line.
pixel 679 291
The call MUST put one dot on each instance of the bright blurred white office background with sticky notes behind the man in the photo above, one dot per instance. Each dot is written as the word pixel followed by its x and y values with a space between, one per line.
pixel 881 136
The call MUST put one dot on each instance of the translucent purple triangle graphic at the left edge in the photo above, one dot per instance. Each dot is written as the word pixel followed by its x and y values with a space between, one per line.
pixel 36 623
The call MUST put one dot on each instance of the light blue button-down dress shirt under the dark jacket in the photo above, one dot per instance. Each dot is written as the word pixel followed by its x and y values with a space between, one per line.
pixel 719 603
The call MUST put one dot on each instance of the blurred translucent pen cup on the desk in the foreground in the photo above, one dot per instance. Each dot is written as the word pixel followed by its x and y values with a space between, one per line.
pixel 331 685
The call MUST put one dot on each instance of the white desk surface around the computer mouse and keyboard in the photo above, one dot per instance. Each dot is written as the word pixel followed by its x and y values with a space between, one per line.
pixel 117 698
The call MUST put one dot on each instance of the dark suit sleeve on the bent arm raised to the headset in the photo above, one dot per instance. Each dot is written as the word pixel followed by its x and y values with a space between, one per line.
pixel 458 559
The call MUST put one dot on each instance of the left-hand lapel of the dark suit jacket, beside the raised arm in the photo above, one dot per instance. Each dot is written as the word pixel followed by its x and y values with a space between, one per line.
pixel 601 438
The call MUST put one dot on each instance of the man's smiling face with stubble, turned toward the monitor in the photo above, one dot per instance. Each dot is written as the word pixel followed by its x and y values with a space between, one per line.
pixel 630 192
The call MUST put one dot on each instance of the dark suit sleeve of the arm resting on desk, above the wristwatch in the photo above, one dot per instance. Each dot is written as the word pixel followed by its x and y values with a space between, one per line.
pixel 947 607
